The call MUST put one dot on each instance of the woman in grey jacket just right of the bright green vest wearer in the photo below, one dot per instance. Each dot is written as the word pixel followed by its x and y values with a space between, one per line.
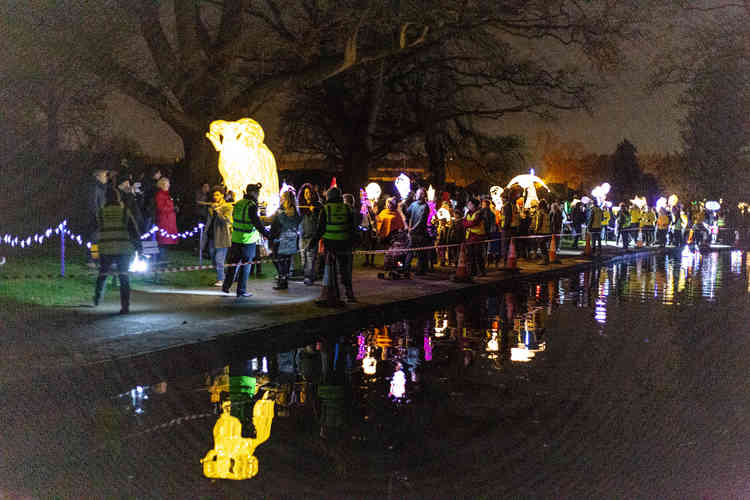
pixel 284 237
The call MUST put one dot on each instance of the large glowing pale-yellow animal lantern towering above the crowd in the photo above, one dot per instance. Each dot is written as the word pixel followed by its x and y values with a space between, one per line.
pixel 244 158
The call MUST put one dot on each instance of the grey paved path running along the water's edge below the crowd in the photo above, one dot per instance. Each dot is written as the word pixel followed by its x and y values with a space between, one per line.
pixel 46 340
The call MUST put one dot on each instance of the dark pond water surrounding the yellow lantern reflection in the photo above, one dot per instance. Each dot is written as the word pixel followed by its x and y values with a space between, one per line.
pixel 629 380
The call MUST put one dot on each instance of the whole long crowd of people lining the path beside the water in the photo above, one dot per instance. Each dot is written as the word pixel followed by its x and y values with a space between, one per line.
pixel 414 233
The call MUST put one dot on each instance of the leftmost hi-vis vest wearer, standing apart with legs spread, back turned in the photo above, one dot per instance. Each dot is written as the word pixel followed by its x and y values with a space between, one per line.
pixel 117 232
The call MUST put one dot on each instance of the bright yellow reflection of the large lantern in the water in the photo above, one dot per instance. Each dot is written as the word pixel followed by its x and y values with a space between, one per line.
pixel 232 455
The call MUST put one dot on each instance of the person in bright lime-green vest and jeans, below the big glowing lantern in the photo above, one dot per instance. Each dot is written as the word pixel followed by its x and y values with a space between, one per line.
pixel 246 232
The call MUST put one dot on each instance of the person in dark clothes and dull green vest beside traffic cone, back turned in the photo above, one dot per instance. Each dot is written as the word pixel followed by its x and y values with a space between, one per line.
pixel 336 229
